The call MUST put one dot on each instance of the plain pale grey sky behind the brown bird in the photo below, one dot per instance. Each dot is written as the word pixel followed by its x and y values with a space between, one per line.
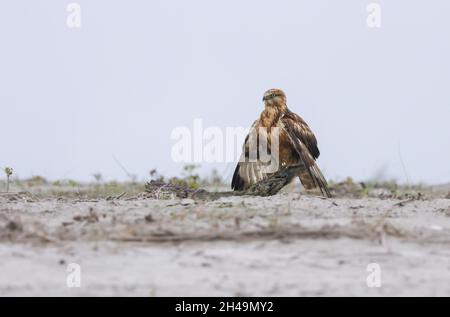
pixel 71 98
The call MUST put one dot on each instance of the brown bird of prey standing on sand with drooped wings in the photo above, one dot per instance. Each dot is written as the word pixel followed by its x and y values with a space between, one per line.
pixel 296 145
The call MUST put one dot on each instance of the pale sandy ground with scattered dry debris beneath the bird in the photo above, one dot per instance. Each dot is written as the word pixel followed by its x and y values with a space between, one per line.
pixel 285 245
